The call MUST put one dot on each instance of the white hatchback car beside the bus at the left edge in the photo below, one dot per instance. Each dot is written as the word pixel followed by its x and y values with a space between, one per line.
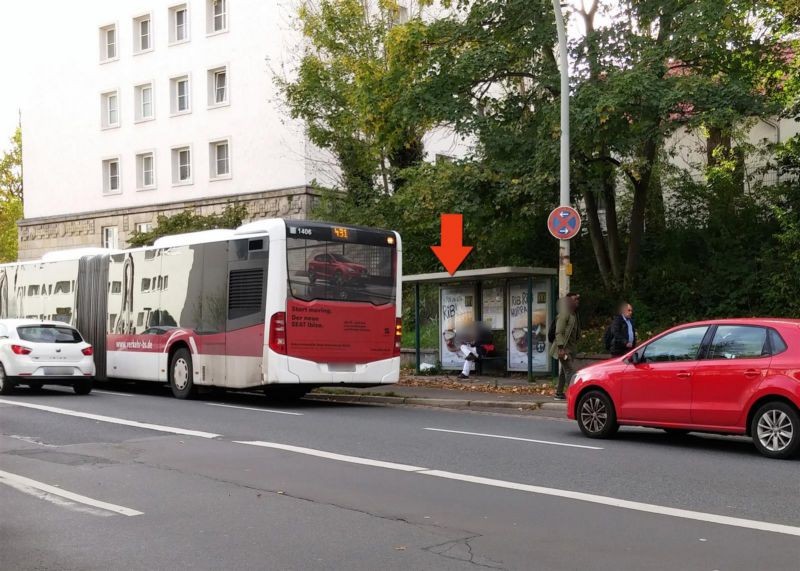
pixel 38 353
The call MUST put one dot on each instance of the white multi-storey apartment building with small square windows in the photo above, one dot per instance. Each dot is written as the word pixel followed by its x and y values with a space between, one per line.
pixel 144 107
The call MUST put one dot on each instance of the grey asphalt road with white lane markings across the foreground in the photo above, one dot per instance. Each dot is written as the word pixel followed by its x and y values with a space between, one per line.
pixel 133 479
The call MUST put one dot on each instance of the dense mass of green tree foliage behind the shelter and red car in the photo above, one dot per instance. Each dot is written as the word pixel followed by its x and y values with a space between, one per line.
pixel 678 244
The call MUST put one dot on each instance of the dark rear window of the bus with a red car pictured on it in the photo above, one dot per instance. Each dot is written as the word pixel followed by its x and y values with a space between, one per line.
pixel 332 270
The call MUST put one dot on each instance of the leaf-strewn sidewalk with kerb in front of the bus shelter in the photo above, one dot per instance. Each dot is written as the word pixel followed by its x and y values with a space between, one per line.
pixel 449 392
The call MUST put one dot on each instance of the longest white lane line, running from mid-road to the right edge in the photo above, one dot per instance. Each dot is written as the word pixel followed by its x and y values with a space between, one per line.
pixel 541 490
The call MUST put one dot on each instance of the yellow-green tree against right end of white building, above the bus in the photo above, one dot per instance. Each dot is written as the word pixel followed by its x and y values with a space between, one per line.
pixel 346 90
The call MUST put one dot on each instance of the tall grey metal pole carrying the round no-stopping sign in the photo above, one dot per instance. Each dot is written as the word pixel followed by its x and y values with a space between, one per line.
pixel 564 253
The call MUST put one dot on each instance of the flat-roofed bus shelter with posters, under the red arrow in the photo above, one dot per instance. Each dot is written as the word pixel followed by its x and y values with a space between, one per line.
pixel 516 303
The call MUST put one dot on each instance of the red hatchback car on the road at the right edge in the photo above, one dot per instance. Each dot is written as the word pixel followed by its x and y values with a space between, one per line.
pixel 733 376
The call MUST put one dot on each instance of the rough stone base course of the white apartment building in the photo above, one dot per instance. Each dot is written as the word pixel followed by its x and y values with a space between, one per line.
pixel 40 235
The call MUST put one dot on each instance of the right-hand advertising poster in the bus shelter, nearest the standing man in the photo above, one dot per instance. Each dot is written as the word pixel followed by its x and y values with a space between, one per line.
pixel 518 326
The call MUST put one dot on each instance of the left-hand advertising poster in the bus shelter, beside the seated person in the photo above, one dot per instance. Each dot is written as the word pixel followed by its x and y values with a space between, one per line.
pixel 457 307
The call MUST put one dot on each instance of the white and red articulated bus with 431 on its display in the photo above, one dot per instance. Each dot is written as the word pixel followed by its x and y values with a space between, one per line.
pixel 284 305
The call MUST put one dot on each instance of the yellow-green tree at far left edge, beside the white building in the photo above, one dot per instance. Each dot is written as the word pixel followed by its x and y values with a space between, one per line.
pixel 10 198
